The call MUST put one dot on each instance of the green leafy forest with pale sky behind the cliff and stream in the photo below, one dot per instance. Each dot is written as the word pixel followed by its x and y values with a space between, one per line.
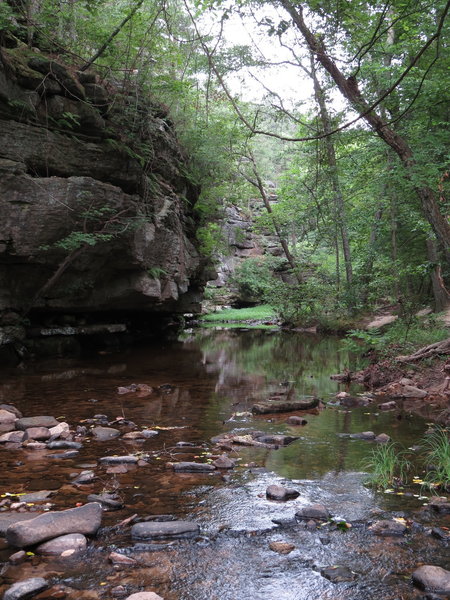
pixel 357 147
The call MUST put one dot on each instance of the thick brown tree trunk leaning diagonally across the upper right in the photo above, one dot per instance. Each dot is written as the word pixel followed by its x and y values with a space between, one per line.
pixel 350 90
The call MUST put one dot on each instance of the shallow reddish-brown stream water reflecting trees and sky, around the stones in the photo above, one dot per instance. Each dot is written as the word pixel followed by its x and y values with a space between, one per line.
pixel 203 385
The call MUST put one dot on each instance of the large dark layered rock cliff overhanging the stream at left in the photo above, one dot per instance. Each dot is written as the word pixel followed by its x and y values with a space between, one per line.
pixel 96 211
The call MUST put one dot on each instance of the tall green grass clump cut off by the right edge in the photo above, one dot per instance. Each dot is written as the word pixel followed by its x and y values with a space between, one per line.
pixel 437 459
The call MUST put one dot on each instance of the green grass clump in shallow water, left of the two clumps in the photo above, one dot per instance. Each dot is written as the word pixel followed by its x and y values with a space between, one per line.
pixel 387 467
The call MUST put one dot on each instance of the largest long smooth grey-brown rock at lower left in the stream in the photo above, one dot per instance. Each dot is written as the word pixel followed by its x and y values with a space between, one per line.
pixel 85 519
